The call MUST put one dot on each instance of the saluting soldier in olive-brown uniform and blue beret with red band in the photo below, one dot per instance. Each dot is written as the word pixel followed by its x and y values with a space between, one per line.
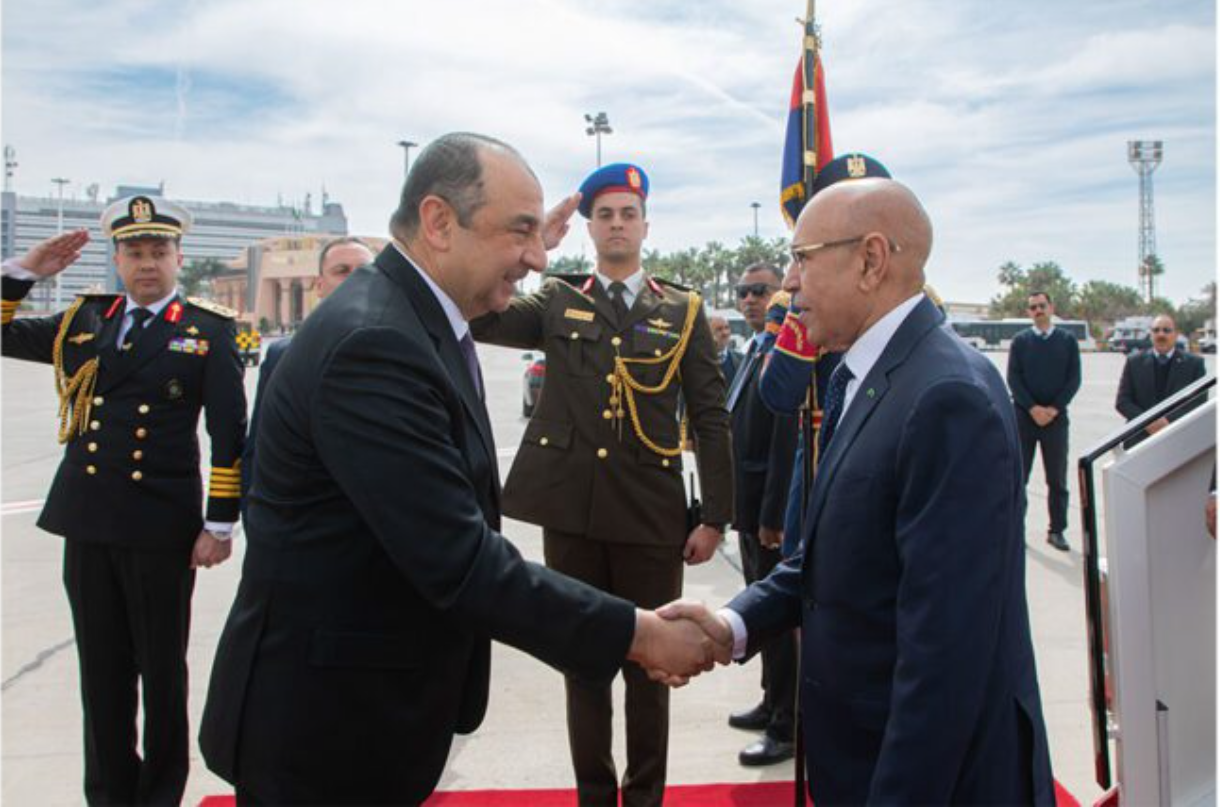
pixel 601 466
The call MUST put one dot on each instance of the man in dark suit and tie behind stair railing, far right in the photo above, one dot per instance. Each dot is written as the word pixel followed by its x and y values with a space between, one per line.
pixel 1152 377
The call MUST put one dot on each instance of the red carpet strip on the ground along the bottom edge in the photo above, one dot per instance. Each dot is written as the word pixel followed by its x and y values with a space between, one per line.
pixel 718 794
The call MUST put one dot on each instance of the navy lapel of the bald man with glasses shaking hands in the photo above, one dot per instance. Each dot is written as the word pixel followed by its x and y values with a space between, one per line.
pixel 873 389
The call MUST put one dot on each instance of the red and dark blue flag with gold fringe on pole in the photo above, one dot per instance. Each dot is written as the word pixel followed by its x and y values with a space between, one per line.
pixel 801 142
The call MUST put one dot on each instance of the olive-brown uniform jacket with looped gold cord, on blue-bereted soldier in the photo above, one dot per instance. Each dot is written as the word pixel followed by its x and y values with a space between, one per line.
pixel 581 469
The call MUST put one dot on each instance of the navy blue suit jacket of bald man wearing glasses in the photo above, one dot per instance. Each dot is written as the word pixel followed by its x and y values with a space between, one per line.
pixel 919 680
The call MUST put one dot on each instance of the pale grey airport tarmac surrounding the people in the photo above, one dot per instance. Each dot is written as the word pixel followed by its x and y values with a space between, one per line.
pixel 523 744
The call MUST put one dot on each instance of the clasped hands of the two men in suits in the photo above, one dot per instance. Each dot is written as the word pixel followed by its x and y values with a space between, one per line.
pixel 679 641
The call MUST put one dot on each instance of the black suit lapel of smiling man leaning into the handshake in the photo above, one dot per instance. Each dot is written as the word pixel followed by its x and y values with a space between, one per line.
pixel 437 325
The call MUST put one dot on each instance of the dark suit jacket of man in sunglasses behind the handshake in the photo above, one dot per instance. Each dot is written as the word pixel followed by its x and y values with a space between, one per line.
pixel 764 450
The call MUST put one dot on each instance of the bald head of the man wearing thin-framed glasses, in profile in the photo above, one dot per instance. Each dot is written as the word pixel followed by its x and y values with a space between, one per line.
pixel 875 241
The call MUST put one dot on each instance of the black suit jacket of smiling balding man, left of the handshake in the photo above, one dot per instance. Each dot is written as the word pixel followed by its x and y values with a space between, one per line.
pixel 375 577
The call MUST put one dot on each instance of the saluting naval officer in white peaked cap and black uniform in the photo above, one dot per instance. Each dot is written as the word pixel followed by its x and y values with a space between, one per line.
pixel 134 372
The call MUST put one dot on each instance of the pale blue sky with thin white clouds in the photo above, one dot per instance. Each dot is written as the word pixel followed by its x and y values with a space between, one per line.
pixel 1010 120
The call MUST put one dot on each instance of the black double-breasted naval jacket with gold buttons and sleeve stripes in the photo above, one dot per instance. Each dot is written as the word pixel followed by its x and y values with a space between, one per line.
pixel 132 479
